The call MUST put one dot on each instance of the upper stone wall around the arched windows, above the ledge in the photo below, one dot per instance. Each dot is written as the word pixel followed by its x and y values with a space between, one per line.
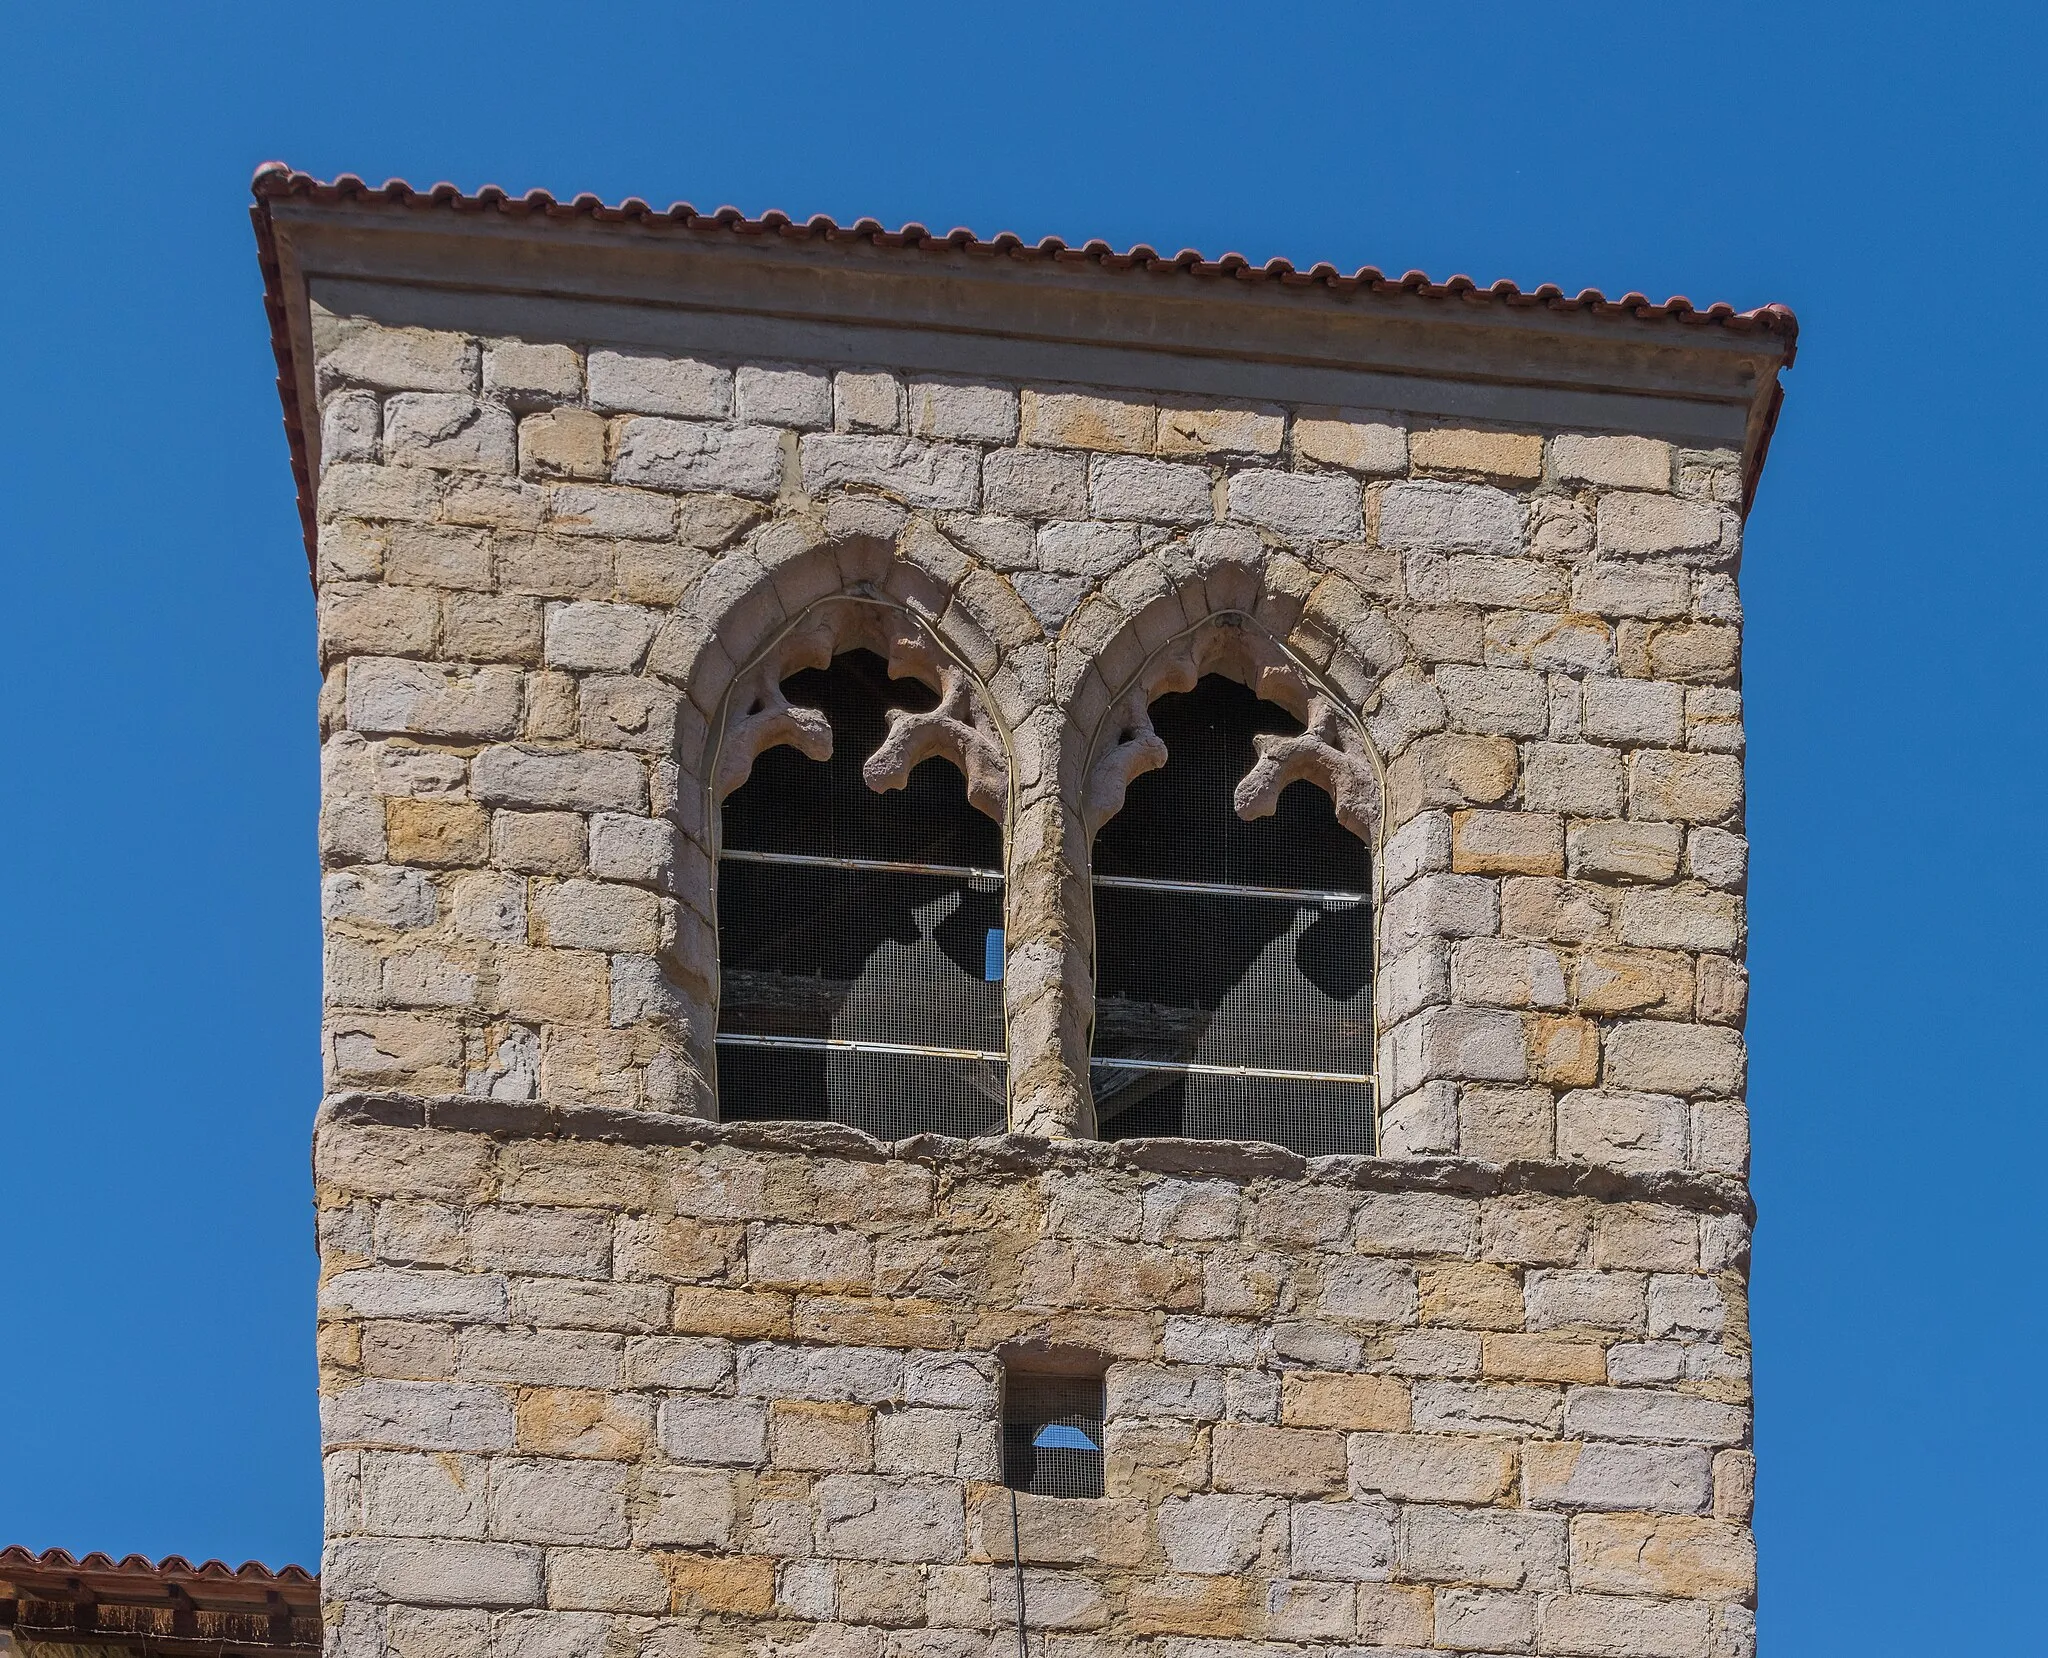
pixel 544 570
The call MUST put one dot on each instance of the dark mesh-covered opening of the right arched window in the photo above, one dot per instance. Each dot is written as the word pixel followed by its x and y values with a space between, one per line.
pixel 1234 961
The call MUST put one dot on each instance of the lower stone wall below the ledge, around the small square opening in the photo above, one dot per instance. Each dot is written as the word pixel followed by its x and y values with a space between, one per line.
pixel 738 1395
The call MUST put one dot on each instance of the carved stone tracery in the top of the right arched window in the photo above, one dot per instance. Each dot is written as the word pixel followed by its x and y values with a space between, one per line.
pixel 1328 752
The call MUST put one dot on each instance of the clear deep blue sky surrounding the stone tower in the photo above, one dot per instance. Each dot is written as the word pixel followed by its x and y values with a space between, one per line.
pixel 1873 167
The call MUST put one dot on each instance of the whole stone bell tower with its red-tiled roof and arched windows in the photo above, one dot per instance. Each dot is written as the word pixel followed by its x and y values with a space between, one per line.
pixel 1027 949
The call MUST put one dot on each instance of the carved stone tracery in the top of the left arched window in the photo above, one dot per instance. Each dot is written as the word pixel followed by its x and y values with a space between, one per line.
pixel 759 715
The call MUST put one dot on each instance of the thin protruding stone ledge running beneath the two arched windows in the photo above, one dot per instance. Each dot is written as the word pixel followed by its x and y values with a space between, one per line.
pixel 1027 1155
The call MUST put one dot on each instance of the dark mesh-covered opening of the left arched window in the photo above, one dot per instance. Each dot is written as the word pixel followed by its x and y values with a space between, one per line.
pixel 859 934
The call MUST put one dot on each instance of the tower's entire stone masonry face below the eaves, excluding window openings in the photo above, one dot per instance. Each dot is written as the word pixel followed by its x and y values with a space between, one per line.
pixel 603 1377
